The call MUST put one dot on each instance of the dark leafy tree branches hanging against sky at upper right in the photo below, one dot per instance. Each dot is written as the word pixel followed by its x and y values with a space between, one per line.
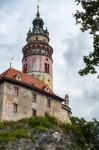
pixel 88 18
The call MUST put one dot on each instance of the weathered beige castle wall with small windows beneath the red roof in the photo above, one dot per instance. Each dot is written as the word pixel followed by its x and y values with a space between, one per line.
pixel 25 104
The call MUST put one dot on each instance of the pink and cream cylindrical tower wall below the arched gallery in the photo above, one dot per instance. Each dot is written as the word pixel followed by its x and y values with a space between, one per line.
pixel 36 67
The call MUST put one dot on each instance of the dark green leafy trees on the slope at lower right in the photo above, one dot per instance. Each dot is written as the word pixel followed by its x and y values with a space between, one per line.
pixel 88 130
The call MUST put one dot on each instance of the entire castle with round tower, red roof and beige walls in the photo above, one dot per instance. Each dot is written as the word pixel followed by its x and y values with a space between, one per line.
pixel 29 92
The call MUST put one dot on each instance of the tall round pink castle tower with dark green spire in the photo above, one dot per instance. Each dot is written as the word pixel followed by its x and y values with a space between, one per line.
pixel 37 53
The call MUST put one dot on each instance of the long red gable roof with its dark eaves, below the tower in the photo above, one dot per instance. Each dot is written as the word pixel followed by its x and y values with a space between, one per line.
pixel 11 74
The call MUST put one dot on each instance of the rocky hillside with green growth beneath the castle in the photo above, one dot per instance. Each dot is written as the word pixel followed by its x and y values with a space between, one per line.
pixel 46 133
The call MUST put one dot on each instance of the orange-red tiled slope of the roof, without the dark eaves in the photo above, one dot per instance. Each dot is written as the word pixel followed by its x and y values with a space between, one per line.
pixel 12 73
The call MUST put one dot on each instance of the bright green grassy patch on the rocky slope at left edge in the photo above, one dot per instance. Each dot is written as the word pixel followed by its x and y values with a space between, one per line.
pixel 12 135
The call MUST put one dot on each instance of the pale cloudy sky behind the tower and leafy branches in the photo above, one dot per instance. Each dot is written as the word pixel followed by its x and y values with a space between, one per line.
pixel 68 42
